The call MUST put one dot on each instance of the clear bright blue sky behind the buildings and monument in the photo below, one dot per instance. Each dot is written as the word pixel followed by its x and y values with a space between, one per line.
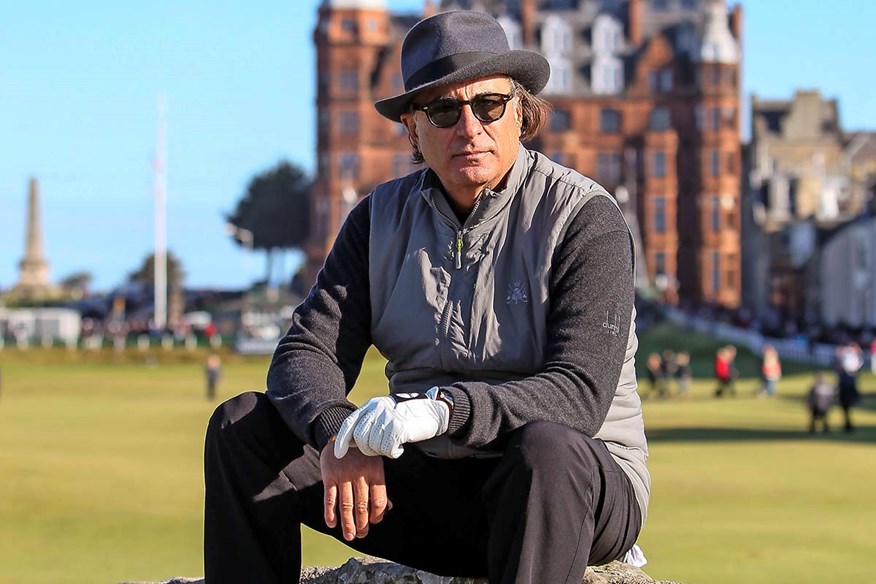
pixel 79 85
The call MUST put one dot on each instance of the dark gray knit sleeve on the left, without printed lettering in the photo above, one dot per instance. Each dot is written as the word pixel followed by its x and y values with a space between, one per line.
pixel 317 362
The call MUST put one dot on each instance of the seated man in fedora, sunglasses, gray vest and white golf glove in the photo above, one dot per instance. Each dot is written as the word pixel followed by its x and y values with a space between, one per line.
pixel 498 285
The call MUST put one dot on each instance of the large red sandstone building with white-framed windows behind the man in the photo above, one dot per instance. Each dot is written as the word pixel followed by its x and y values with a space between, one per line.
pixel 646 101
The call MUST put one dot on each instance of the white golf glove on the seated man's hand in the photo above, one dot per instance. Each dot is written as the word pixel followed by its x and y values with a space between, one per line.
pixel 383 424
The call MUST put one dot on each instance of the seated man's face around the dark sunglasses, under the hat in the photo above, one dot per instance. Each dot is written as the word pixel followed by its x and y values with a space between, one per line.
pixel 469 155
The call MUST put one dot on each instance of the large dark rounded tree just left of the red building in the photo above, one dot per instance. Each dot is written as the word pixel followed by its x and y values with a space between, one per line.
pixel 274 213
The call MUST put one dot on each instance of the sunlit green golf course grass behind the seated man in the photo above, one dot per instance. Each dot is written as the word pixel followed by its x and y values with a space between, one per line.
pixel 101 475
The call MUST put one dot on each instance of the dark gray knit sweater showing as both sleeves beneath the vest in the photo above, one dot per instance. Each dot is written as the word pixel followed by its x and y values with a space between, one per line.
pixel 318 360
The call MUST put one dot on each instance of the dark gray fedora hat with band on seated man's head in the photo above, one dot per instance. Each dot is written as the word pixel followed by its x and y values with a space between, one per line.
pixel 458 46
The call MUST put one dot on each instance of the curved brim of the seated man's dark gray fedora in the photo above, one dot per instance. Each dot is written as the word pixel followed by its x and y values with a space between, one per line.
pixel 528 68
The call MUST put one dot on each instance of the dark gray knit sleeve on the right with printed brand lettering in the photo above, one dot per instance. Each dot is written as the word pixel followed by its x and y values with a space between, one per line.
pixel 591 288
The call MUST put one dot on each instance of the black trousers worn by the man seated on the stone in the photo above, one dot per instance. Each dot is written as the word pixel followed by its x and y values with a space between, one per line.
pixel 555 502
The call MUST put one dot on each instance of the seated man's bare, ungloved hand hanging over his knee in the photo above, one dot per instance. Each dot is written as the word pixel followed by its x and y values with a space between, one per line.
pixel 354 489
